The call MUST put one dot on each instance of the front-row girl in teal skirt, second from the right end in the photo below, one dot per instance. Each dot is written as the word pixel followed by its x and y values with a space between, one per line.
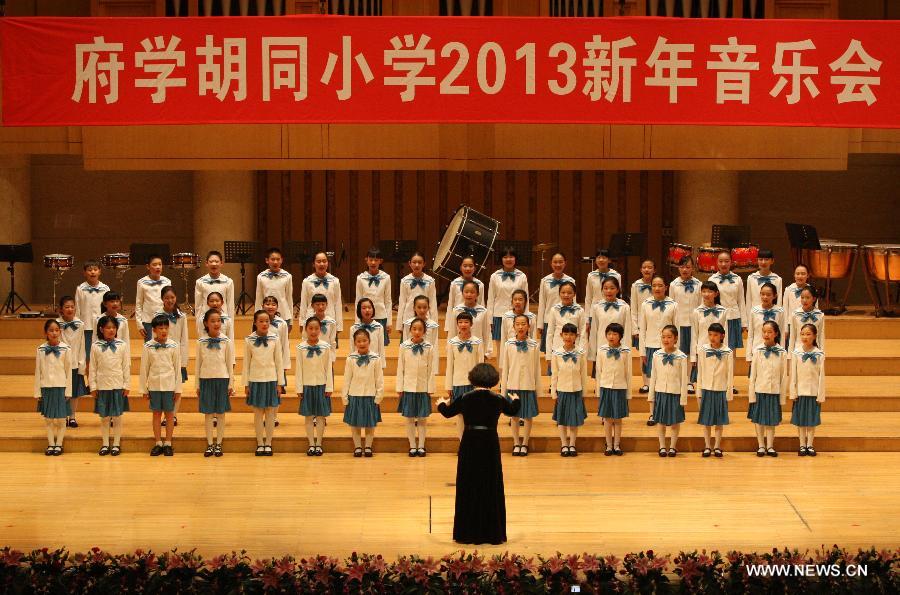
pixel 768 387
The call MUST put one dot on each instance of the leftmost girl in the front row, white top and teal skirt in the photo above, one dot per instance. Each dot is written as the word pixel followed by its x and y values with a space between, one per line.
pixel 53 385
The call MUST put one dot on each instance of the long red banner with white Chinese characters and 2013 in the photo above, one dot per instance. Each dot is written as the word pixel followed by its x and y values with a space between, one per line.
pixel 88 71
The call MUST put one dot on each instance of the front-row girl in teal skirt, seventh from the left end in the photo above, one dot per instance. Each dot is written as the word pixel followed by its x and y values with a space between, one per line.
pixel 363 392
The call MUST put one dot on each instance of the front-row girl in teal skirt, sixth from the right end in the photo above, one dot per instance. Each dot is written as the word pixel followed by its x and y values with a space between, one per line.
pixel 568 382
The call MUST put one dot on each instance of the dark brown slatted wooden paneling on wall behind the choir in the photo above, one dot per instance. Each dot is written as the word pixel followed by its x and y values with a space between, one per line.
pixel 360 207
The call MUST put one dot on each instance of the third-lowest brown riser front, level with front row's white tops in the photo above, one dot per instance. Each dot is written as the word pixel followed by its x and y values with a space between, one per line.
pixel 838 366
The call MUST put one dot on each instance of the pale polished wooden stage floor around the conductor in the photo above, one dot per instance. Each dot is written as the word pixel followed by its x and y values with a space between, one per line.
pixel 393 505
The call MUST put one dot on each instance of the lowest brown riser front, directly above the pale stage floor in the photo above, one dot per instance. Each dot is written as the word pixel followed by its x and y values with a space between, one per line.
pixel 592 446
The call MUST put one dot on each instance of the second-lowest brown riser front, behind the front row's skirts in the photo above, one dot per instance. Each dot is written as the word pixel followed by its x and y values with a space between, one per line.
pixel 638 404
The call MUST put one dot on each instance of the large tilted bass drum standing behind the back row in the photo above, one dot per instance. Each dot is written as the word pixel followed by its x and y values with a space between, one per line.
pixel 469 233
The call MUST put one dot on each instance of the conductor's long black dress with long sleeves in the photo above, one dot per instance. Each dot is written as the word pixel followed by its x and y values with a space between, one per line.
pixel 480 501
